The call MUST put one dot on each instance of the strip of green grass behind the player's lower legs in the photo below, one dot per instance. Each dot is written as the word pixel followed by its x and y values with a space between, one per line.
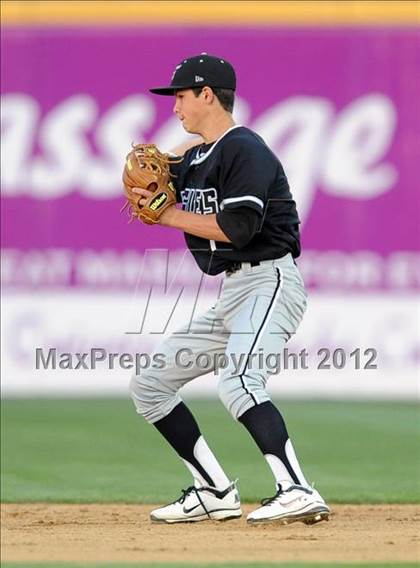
pixel 101 451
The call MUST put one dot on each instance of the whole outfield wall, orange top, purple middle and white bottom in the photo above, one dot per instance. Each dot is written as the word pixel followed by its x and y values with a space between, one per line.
pixel 335 94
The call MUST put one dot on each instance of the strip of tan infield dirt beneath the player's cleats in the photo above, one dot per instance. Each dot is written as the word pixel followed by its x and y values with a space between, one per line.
pixel 123 533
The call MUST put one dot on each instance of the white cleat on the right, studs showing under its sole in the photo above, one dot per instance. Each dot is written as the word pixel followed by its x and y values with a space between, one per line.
pixel 292 503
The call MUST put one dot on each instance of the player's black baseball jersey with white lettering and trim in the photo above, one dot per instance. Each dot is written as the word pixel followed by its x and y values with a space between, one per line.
pixel 242 181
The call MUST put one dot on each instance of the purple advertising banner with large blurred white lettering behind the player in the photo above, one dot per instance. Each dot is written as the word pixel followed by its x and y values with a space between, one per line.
pixel 339 107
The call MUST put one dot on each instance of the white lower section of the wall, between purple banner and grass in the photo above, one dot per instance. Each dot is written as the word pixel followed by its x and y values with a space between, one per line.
pixel 79 321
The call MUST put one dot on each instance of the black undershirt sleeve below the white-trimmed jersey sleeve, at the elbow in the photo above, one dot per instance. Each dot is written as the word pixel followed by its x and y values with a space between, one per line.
pixel 239 224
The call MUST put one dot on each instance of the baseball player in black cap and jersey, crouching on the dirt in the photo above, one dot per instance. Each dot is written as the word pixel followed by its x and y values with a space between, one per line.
pixel 239 217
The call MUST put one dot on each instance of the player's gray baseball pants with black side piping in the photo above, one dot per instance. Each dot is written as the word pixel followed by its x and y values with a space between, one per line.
pixel 258 310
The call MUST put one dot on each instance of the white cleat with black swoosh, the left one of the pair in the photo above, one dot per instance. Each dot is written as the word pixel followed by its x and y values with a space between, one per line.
pixel 201 504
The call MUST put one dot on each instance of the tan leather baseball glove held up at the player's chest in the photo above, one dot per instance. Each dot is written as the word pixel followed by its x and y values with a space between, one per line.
pixel 147 167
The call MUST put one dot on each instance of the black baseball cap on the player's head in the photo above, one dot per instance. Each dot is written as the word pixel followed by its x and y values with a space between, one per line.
pixel 199 71
